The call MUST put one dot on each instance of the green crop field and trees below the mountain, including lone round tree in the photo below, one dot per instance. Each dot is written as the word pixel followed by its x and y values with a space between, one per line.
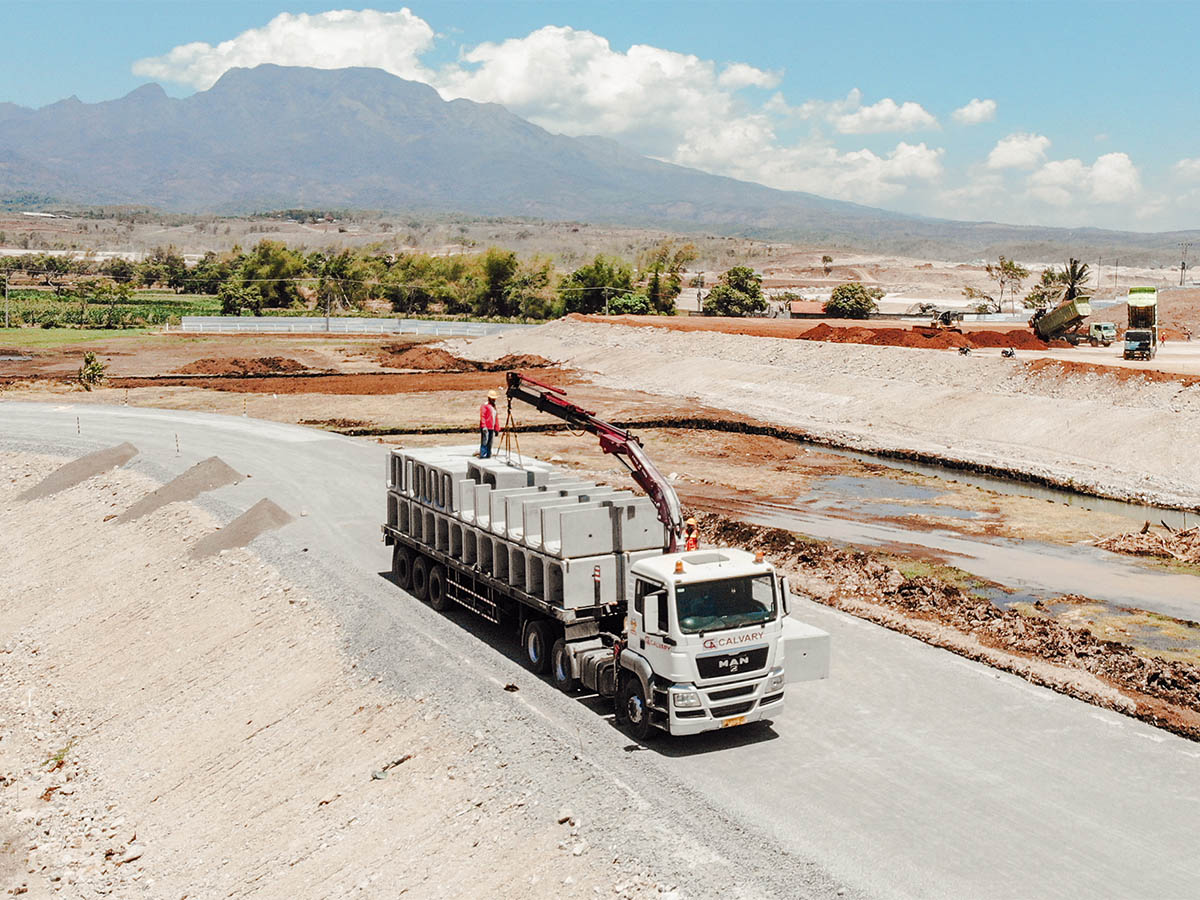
pixel 55 291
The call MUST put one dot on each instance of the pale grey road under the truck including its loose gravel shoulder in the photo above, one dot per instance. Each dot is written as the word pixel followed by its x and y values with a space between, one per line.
pixel 910 773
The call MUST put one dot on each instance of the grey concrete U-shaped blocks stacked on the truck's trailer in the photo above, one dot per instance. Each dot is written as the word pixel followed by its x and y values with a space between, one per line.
pixel 539 530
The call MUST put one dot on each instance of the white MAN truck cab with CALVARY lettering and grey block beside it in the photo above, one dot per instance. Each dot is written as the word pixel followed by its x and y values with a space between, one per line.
pixel 709 644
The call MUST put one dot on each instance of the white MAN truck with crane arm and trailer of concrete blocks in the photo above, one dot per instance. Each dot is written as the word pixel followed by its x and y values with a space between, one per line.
pixel 595 581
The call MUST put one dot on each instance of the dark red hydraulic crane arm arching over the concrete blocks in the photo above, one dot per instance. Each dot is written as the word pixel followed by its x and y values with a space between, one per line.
pixel 619 442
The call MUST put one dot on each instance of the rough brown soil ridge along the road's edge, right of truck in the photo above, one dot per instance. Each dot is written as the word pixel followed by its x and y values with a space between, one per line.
pixel 1071 661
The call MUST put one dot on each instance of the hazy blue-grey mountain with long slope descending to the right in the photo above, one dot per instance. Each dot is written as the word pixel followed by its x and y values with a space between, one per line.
pixel 277 137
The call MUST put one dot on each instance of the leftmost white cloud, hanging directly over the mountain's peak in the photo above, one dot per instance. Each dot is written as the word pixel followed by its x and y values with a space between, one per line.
pixel 393 41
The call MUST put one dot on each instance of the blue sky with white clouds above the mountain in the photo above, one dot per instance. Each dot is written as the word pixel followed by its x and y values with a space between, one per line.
pixel 1084 115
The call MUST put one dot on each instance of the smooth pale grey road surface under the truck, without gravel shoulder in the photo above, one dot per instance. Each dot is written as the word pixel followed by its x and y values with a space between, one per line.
pixel 910 773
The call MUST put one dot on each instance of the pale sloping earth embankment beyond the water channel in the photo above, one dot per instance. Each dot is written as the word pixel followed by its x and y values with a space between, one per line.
pixel 1084 429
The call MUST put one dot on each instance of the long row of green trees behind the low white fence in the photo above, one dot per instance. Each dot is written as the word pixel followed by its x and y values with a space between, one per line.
pixel 496 284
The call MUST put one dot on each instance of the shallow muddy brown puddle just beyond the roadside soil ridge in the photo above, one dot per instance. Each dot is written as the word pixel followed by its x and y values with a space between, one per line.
pixel 1029 571
